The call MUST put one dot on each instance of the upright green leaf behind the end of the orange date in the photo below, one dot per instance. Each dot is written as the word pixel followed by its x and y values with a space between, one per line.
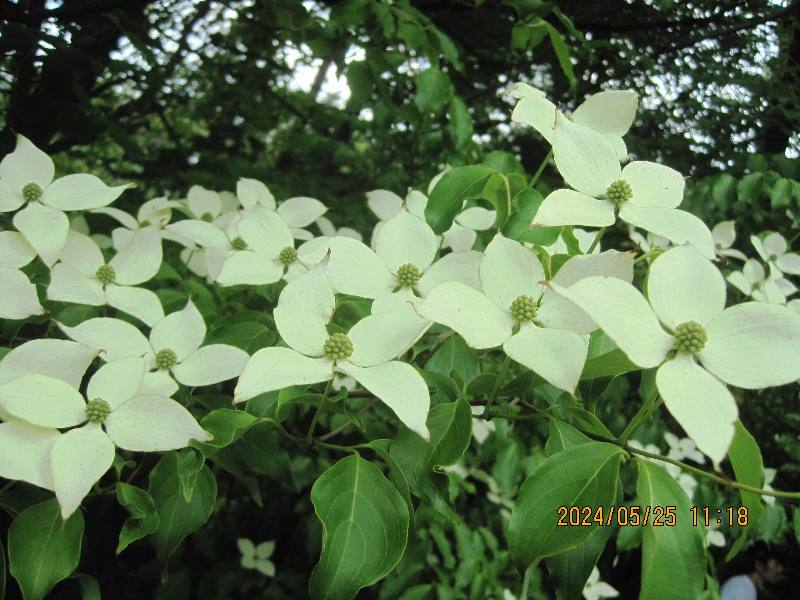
pixel 673 557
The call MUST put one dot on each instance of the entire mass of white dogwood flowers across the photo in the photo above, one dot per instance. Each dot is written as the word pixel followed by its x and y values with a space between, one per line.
pixel 539 306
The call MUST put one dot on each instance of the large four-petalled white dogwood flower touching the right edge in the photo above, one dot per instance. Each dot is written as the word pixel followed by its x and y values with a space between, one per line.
pixel 751 345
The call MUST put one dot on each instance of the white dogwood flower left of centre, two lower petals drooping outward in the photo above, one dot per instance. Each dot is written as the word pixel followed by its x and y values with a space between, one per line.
pixel 304 309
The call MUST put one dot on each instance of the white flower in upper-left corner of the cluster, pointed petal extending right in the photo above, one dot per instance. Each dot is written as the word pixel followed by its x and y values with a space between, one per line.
pixel 26 177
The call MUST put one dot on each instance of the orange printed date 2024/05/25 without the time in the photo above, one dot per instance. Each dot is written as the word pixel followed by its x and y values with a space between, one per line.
pixel 606 516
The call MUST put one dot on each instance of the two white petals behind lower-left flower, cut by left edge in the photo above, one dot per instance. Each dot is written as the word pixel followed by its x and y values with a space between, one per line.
pixel 24 448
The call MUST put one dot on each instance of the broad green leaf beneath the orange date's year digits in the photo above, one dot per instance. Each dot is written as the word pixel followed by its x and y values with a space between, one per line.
pixel 585 475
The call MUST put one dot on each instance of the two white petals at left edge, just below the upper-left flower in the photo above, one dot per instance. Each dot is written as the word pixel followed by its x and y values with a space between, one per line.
pixel 18 299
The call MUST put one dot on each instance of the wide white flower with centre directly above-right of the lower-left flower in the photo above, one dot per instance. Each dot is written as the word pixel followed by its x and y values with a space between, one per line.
pixel 175 346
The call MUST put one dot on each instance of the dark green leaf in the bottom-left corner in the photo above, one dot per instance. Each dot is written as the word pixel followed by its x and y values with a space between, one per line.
pixel 43 549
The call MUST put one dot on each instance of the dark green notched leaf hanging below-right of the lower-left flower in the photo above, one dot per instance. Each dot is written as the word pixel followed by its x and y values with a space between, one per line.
pixel 177 517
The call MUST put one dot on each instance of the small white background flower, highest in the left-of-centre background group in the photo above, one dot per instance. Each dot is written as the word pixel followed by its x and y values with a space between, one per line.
pixel 297 213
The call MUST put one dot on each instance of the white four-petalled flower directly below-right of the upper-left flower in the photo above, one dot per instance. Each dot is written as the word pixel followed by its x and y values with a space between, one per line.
pixel 83 276
